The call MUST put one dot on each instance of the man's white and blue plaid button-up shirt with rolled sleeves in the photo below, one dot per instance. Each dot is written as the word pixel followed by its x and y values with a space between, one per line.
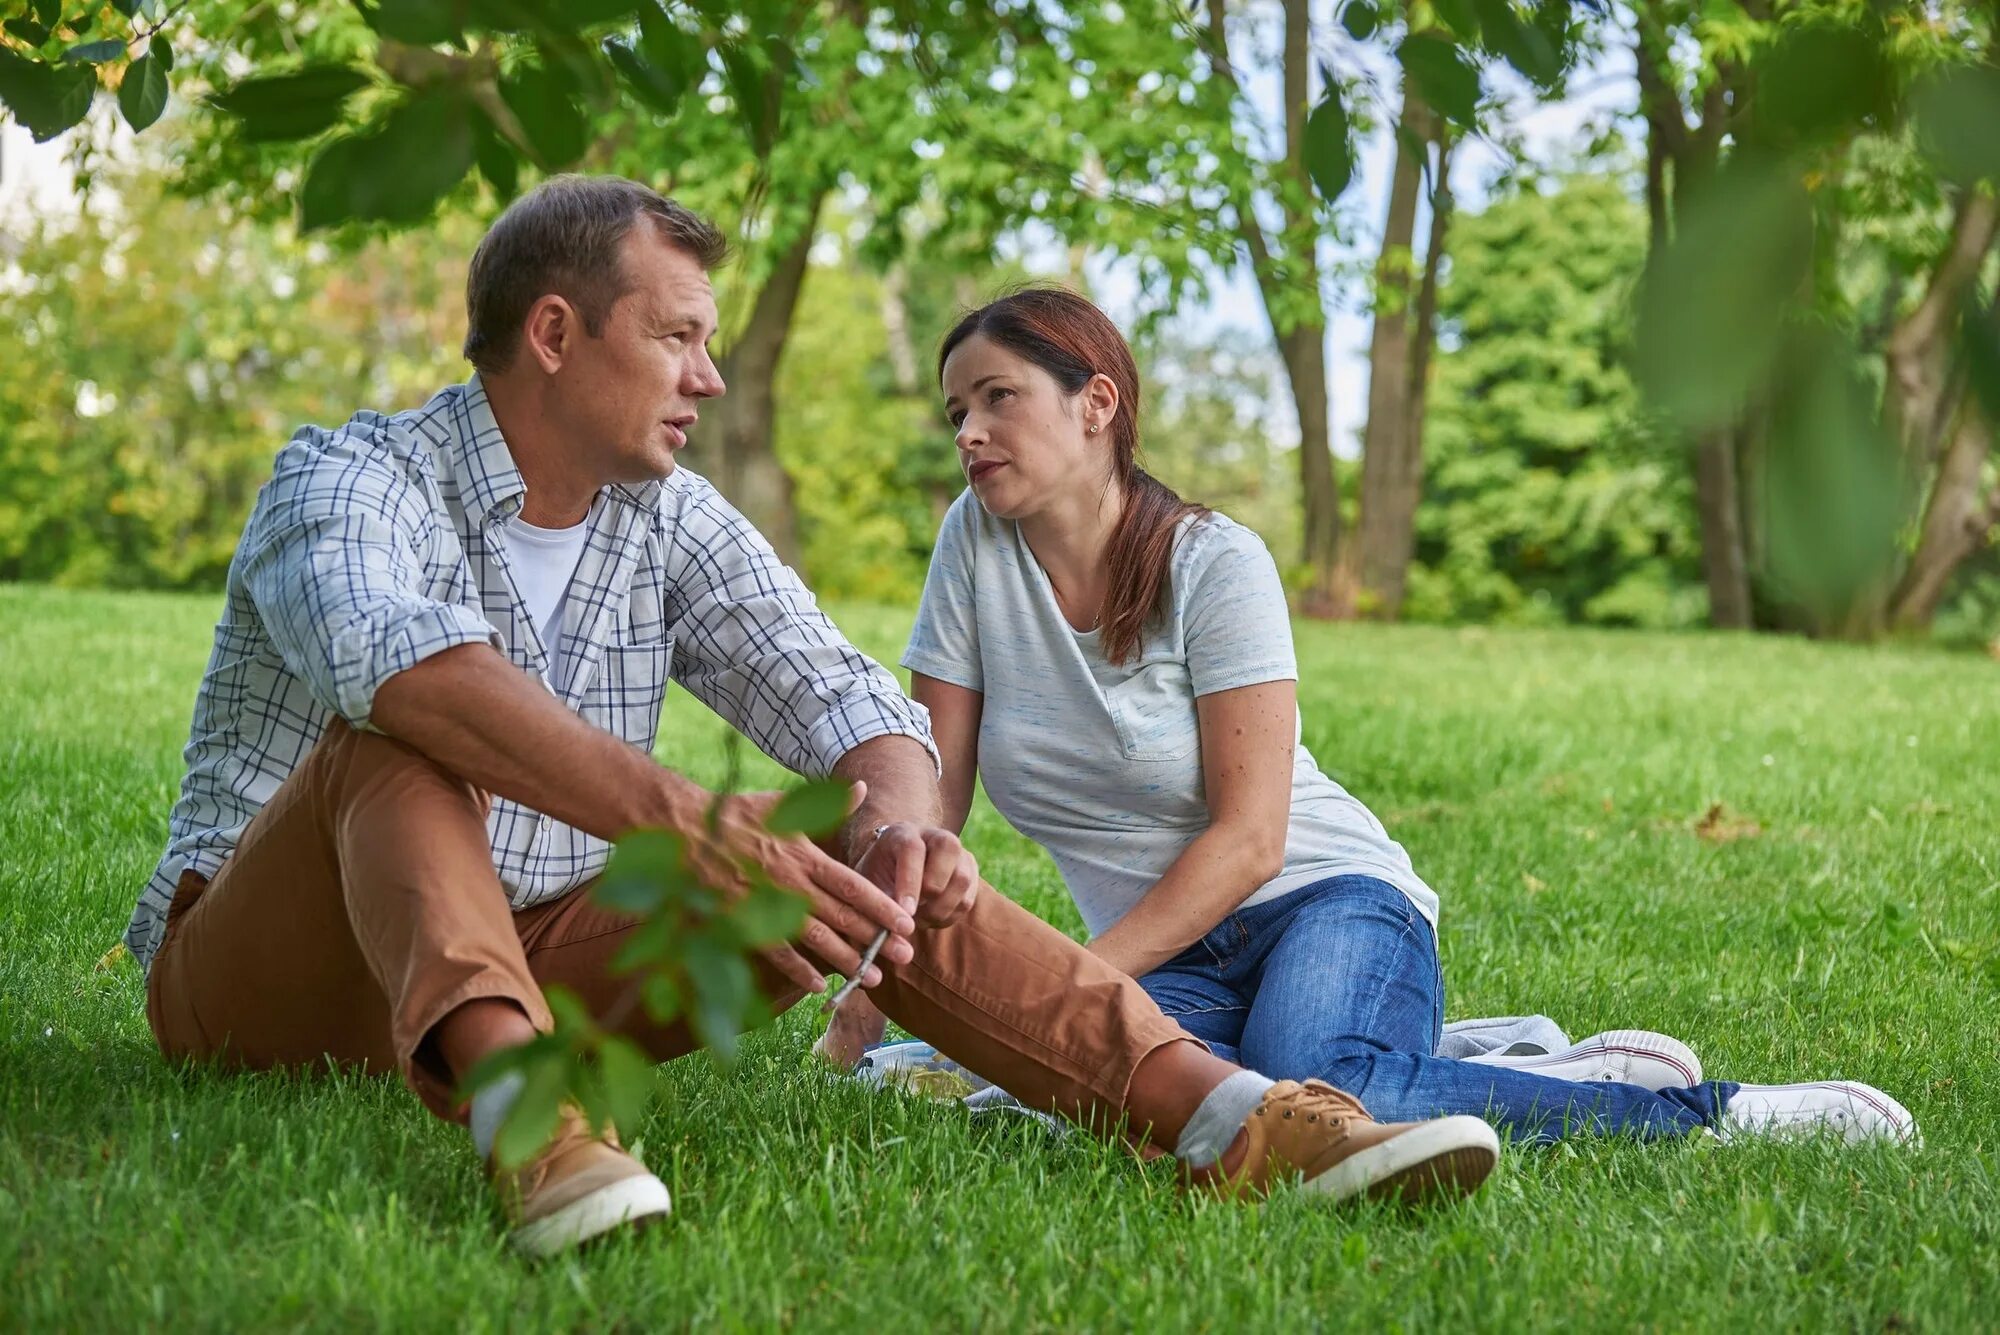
pixel 379 545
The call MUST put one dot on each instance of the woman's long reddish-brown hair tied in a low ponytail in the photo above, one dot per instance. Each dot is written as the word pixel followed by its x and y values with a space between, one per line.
pixel 1073 341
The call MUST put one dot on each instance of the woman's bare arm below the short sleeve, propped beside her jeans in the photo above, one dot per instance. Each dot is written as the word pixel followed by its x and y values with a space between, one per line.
pixel 1249 738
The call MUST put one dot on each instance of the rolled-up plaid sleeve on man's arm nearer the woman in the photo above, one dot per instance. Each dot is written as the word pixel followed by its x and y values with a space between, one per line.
pixel 753 645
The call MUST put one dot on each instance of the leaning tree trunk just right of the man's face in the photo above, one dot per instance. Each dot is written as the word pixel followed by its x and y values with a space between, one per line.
pixel 747 469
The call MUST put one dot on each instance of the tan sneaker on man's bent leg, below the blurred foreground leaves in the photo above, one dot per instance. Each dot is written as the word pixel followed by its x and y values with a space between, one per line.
pixel 583 1186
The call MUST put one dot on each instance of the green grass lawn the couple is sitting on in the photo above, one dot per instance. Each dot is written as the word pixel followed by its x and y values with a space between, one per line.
pixel 1549 786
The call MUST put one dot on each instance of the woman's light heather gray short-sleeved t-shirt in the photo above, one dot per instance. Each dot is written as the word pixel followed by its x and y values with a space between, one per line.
pixel 1103 764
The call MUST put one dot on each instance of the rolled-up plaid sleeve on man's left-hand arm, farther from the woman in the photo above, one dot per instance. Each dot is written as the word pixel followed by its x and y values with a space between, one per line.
pixel 331 561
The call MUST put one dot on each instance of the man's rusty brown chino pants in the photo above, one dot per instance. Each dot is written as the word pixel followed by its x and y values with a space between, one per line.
pixel 361 908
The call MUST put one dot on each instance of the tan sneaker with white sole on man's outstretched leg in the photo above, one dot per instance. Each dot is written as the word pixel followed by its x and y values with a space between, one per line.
pixel 1327 1140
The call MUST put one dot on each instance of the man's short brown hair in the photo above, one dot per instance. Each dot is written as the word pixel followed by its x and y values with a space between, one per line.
pixel 563 239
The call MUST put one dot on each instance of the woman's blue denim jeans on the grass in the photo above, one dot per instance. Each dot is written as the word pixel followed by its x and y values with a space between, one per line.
pixel 1341 982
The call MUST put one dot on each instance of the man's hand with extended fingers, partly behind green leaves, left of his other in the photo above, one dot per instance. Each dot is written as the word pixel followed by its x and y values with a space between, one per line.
pixel 847 908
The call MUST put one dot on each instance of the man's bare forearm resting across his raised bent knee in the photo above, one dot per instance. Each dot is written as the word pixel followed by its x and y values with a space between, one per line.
pixel 491 724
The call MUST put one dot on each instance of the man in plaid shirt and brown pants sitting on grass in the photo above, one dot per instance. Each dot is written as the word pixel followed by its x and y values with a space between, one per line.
pixel 431 706
